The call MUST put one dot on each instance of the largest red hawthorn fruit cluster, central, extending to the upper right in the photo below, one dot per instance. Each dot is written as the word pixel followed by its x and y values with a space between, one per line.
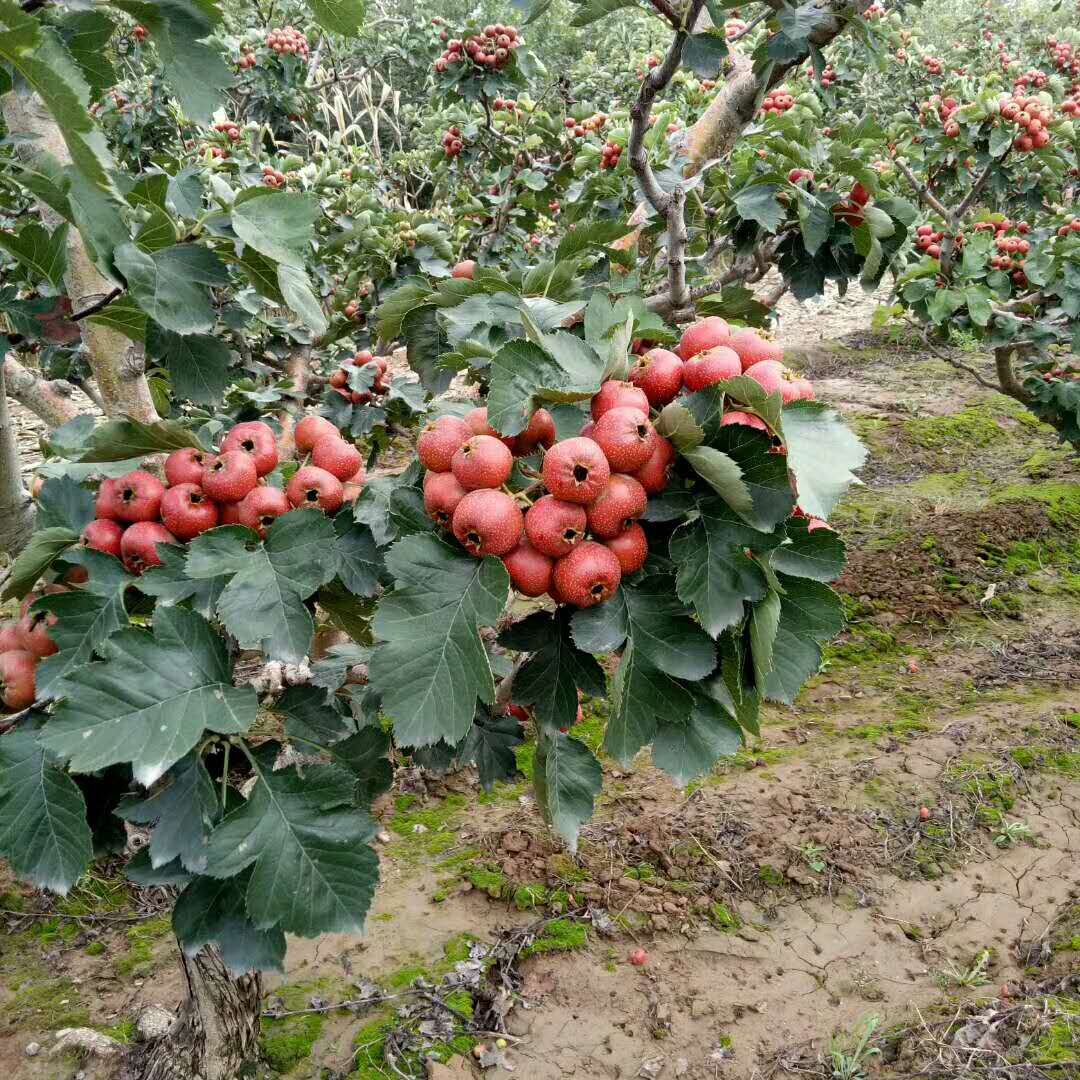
pixel 577 541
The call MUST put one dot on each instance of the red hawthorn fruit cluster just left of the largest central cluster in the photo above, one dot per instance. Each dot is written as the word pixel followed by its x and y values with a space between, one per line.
pixel 137 512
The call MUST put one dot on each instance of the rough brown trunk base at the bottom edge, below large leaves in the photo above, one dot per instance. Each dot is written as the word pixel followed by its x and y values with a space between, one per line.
pixel 217 1032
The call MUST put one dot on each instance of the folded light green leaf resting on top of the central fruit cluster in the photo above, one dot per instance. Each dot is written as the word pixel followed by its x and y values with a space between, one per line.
pixel 524 372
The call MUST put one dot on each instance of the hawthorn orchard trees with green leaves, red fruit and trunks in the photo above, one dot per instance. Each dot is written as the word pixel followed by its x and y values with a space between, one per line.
pixel 218 223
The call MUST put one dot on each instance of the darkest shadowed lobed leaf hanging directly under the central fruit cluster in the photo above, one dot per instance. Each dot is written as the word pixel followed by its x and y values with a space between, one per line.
pixel 556 671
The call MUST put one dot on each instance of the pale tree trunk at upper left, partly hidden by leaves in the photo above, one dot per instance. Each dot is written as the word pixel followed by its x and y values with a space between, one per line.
pixel 118 363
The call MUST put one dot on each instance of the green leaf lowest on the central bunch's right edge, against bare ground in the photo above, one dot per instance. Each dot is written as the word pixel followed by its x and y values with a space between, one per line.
pixel 811 613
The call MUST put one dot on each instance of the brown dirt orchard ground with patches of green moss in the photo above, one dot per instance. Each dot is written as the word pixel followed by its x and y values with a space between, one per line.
pixel 886 885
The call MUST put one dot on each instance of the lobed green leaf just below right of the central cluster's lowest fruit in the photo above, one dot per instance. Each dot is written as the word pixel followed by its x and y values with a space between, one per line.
pixel 661 629
